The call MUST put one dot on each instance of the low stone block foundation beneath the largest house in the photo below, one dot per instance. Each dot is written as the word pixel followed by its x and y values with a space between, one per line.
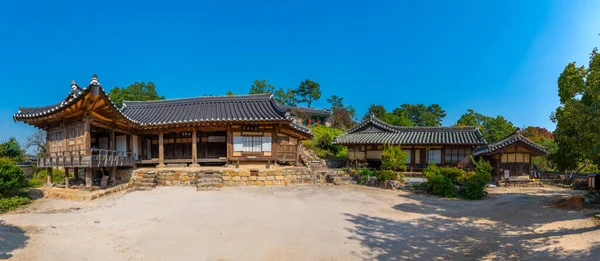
pixel 244 177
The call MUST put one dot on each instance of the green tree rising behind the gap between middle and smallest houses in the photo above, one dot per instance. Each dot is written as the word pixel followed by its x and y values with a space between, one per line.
pixel 493 129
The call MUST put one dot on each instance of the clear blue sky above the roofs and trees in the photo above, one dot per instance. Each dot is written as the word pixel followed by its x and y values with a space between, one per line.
pixel 497 57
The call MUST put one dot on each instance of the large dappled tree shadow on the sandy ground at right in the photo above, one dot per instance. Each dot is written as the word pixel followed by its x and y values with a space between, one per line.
pixel 469 230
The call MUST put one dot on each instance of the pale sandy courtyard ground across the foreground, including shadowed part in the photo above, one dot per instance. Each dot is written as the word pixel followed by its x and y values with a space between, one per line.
pixel 300 223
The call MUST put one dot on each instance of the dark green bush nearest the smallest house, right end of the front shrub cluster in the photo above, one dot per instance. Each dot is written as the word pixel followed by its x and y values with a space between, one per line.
pixel 476 183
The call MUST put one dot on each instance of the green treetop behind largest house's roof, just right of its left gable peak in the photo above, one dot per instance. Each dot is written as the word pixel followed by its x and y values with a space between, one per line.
pixel 138 91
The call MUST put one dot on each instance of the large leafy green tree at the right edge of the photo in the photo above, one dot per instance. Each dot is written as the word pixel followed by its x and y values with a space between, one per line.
pixel 577 118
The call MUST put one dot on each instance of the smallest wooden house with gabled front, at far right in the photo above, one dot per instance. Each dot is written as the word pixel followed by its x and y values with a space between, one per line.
pixel 510 156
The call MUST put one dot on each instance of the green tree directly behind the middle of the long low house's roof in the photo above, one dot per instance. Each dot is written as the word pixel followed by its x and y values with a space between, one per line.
pixel 422 115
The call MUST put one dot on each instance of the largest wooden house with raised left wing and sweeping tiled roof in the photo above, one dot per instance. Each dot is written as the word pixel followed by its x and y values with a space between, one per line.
pixel 87 131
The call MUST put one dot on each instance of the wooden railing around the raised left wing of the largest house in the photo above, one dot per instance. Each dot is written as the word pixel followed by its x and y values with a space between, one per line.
pixel 86 158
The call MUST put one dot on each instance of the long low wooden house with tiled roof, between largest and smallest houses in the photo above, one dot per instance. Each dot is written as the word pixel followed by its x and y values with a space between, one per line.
pixel 445 146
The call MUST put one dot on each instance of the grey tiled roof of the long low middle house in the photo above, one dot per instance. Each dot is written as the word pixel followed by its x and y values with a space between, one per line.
pixel 383 133
